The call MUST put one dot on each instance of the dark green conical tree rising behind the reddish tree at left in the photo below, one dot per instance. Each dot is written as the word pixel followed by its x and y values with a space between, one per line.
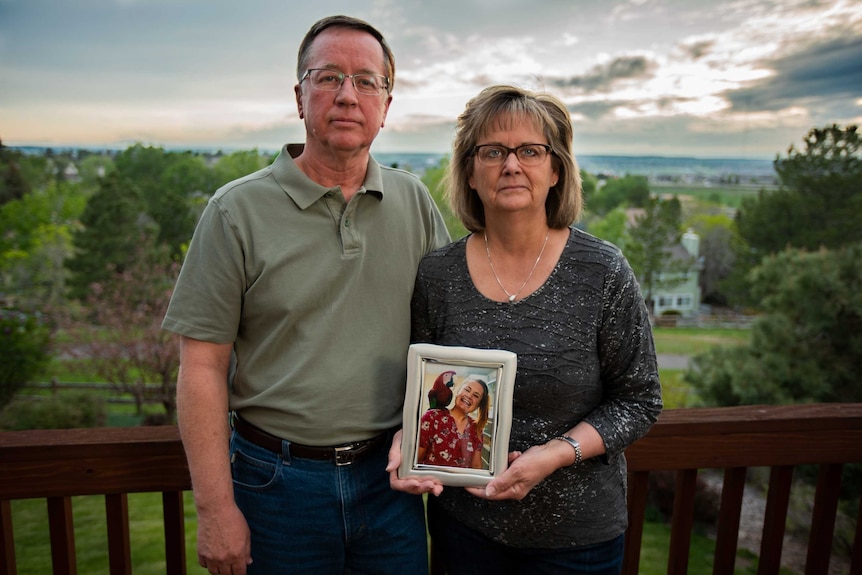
pixel 112 226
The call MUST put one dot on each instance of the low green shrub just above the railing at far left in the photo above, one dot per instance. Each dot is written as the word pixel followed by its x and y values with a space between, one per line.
pixel 65 411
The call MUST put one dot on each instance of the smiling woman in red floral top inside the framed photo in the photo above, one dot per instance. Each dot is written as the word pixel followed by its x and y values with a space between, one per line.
pixel 450 437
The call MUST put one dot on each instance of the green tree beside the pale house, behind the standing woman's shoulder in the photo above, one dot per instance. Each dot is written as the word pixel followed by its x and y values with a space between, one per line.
pixel 655 232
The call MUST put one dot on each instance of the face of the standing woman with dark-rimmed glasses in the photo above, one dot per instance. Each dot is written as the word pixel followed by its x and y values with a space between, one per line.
pixel 511 186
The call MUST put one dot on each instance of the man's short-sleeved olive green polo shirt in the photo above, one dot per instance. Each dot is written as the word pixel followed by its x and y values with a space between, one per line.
pixel 313 292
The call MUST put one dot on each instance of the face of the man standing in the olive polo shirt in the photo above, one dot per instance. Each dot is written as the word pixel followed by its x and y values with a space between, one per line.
pixel 344 120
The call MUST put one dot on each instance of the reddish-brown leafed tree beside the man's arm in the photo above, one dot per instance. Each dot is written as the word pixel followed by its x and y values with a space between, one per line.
pixel 120 335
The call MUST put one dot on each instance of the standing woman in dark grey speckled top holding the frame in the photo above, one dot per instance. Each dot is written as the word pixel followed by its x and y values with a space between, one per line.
pixel 570 307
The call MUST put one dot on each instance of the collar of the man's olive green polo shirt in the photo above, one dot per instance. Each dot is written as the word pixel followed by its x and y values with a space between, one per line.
pixel 304 191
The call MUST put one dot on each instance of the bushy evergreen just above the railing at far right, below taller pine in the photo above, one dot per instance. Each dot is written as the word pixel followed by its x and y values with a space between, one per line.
pixel 807 347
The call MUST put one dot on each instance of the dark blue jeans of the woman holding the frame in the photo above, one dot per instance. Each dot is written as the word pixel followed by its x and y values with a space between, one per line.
pixel 464 551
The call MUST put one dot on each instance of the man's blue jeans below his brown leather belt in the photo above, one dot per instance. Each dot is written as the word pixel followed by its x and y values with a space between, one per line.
pixel 310 516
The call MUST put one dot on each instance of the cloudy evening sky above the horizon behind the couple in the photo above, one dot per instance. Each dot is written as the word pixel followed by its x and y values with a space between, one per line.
pixel 677 78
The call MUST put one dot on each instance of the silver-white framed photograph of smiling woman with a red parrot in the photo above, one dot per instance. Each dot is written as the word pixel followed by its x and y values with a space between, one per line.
pixel 457 413
